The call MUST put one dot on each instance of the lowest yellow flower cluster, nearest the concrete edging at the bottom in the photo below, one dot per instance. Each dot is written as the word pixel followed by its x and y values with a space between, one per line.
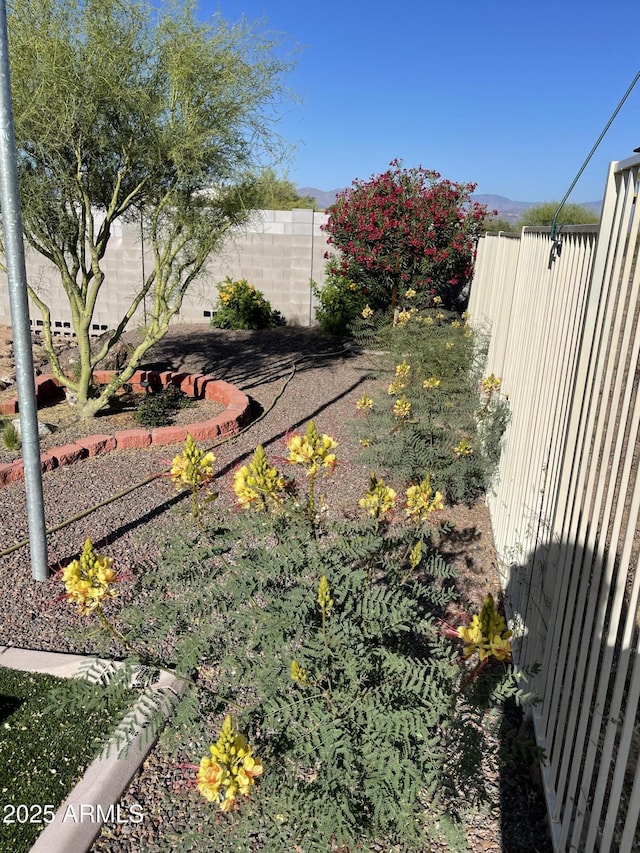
pixel 231 768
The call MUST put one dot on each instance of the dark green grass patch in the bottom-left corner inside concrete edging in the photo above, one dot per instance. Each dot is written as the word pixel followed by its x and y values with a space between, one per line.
pixel 45 748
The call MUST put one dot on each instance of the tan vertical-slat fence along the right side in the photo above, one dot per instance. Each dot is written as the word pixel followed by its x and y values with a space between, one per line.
pixel 565 339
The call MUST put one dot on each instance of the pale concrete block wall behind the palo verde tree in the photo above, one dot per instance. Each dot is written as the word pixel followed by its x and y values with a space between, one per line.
pixel 279 253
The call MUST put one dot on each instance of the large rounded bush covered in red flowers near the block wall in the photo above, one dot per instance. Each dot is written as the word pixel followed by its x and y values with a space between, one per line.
pixel 405 229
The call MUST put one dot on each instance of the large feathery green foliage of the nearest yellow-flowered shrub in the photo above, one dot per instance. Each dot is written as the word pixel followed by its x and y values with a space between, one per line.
pixel 352 737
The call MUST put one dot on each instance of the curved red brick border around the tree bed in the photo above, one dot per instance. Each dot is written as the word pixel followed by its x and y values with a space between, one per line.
pixel 197 385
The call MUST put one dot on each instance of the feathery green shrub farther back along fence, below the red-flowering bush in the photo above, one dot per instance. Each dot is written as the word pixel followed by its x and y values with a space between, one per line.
pixel 449 410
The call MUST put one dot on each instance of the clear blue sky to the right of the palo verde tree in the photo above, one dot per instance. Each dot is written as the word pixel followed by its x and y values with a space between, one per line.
pixel 511 96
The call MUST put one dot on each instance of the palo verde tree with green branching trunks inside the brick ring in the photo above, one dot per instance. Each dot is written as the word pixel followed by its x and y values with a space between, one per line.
pixel 126 112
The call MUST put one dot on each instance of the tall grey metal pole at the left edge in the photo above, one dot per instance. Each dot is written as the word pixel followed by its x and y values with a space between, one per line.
pixel 18 300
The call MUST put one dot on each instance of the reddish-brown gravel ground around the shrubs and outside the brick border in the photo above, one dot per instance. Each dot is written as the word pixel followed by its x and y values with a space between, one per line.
pixel 323 388
